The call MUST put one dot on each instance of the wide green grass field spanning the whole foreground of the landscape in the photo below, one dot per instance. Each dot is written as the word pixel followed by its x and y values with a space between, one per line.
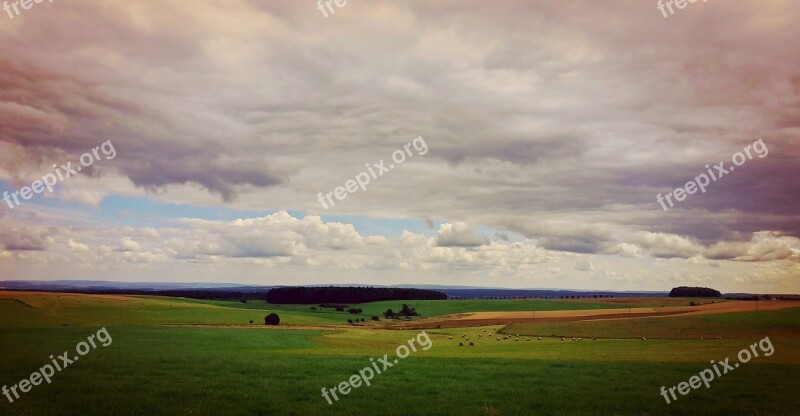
pixel 164 370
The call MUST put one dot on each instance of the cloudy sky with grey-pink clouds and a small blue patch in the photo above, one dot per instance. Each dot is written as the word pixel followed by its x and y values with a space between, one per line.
pixel 518 144
